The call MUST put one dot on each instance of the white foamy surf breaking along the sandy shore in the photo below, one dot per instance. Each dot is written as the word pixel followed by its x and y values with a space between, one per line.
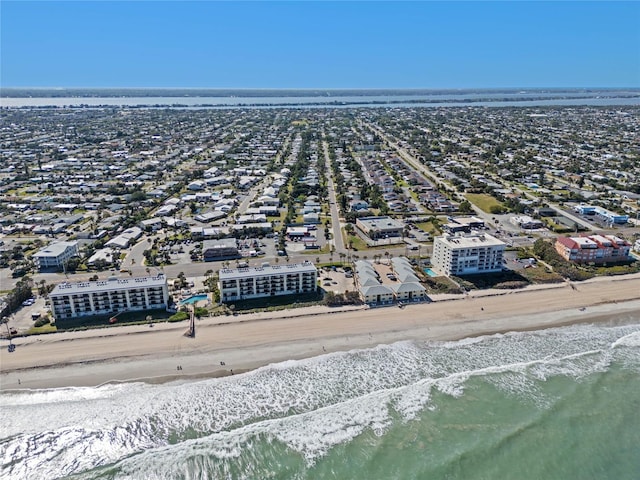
pixel 309 405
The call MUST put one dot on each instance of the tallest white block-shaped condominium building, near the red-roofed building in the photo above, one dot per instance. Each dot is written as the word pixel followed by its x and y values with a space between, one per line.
pixel 467 254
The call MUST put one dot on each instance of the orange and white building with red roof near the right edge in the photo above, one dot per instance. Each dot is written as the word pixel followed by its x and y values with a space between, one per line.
pixel 594 249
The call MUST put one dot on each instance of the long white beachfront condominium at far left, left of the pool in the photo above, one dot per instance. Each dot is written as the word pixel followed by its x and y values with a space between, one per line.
pixel 107 297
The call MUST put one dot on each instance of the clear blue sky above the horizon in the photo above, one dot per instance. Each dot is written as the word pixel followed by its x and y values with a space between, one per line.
pixel 320 44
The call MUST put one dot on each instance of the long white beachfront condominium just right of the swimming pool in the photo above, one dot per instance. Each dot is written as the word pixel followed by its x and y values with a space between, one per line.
pixel 268 280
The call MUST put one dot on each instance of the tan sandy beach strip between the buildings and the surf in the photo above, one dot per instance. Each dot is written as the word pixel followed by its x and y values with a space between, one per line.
pixel 234 344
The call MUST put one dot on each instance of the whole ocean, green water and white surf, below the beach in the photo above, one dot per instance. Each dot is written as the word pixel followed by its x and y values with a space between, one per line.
pixel 561 403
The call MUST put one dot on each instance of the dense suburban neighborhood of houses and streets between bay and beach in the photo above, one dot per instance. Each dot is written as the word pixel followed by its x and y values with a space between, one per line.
pixel 122 214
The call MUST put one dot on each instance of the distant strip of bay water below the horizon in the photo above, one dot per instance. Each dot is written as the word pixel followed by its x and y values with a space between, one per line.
pixel 273 99
